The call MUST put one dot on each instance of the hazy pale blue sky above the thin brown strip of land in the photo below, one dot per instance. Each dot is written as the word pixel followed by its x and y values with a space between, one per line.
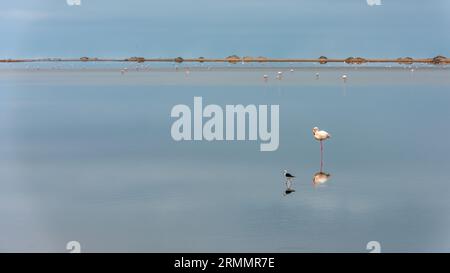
pixel 31 28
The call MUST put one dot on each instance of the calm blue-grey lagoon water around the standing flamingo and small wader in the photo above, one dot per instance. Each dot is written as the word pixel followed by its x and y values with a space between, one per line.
pixel 88 156
